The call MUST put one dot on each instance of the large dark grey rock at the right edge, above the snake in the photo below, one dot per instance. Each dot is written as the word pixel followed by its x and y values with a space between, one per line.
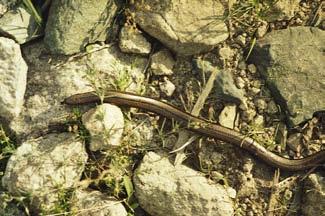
pixel 294 69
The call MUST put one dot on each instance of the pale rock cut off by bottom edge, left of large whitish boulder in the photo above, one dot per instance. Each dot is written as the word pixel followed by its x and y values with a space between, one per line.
pixel 94 203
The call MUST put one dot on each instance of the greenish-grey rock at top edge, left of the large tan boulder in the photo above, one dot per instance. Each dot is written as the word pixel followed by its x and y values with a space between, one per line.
pixel 74 24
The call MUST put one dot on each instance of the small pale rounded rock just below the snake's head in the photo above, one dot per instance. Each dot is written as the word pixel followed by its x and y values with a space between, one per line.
pixel 105 124
